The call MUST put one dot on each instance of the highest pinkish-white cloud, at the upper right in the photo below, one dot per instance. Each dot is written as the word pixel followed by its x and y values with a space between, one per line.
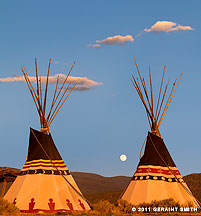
pixel 167 26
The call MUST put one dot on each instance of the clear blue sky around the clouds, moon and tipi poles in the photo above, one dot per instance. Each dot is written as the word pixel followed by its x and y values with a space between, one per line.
pixel 96 126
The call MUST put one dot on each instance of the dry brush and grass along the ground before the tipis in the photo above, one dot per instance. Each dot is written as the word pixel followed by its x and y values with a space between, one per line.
pixel 105 208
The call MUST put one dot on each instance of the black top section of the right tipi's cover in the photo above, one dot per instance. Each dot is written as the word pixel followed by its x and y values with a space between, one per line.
pixel 156 153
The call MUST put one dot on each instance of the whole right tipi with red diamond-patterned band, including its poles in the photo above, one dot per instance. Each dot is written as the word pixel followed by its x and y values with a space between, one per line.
pixel 156 176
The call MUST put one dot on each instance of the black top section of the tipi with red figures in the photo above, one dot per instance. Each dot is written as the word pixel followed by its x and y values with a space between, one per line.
pixel 35 151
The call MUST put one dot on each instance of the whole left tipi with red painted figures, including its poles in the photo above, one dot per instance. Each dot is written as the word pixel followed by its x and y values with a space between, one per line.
pixel 45 184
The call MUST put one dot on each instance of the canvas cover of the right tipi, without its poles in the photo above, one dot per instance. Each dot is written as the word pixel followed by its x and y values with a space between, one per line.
pixel 157 177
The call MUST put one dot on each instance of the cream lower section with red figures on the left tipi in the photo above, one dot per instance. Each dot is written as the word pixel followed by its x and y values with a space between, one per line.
pixel 48 193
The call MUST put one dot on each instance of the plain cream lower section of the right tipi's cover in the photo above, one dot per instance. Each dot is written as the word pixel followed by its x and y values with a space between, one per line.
pixel 147 191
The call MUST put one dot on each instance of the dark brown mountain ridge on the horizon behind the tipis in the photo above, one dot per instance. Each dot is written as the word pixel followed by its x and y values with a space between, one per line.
pixel 96 187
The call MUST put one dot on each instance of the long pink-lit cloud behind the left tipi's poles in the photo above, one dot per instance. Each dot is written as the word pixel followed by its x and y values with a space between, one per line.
pixel 83 83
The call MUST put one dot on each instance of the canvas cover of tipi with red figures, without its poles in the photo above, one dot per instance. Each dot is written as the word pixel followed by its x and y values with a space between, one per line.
pixel 45 183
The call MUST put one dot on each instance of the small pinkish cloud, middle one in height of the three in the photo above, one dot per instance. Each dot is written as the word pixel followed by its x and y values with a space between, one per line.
pixel 116 40
